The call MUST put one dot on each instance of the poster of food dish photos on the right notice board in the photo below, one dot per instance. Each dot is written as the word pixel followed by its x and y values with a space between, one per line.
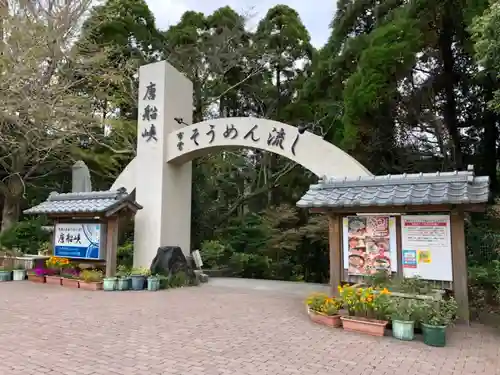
pixel 369 244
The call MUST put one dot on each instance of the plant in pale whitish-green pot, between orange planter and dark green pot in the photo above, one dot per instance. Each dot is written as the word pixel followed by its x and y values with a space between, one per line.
pixel 403 318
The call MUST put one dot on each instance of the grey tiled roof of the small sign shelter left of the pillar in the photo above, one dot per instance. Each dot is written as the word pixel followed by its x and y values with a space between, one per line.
pixel 88 202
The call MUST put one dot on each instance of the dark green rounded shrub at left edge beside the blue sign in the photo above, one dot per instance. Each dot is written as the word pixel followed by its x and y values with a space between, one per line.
pixel 27 236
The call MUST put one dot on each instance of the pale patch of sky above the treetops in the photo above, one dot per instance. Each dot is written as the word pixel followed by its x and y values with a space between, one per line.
pixel 316 18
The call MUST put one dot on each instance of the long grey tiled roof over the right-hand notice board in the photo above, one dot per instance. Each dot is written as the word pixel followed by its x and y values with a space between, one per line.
pixel 398 190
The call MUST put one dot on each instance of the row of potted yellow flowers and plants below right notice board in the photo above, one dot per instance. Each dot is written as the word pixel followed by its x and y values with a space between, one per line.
pixel 370 309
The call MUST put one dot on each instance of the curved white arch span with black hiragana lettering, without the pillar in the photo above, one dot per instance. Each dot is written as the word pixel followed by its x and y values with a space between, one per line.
pixel 307 149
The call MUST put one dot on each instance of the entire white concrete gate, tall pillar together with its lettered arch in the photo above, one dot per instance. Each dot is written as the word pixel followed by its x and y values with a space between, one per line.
pixel 161 173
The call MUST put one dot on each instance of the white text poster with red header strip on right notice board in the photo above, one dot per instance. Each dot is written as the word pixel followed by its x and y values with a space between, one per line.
pixel 426 247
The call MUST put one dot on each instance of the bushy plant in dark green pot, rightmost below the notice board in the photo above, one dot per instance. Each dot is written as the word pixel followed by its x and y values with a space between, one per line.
pixel 436 317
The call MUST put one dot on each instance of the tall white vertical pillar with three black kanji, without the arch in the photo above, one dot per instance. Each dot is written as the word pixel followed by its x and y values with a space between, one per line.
pixel 163 189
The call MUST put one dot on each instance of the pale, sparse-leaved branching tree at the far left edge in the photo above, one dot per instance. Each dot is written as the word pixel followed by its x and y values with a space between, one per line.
pixel 43 116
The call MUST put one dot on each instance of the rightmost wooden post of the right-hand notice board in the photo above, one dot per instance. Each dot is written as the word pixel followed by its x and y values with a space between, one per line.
pixel 459 264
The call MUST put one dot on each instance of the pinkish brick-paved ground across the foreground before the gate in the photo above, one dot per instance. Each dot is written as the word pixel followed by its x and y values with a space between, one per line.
pixel 207 330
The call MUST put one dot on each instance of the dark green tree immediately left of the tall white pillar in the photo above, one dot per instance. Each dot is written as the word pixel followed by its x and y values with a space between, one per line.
pixel 126 30
